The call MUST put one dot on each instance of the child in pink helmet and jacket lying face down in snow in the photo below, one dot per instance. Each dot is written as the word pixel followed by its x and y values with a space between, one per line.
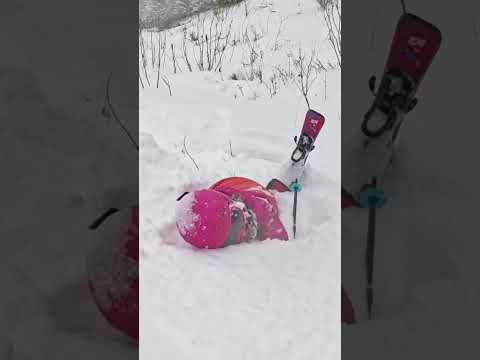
pixel 231 211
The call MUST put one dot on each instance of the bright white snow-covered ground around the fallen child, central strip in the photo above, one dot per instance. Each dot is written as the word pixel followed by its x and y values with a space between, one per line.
pixel 260 300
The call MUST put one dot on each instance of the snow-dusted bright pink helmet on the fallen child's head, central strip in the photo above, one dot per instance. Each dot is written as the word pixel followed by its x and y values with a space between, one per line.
pixel 207 219
